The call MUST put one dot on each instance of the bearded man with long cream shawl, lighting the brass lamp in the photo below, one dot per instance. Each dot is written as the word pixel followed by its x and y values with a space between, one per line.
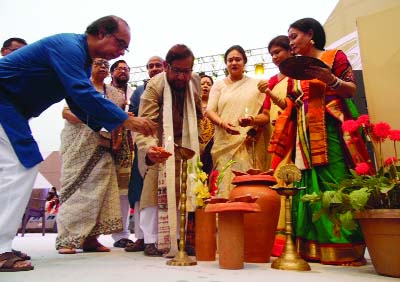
pixel 171 99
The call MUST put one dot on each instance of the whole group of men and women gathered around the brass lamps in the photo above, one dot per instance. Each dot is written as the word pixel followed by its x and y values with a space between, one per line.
pixel 117 145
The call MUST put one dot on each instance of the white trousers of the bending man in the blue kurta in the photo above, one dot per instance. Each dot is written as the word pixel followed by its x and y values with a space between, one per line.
pixel 16 184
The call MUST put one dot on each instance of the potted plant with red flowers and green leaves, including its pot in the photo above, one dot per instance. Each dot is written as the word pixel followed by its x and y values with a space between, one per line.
pixel 371 199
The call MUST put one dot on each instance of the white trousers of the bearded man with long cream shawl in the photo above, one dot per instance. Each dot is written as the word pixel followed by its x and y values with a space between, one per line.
pixel 149 224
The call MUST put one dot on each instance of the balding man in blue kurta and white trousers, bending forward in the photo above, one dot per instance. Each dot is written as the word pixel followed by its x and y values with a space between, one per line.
pixel 31 80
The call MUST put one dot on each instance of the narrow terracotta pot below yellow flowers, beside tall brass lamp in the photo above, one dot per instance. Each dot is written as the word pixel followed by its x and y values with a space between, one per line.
pixel 205 235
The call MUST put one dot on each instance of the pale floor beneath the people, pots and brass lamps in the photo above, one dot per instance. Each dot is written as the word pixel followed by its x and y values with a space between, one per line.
pixel 119 265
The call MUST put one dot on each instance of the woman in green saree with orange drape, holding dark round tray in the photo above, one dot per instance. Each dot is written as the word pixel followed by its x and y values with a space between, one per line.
pixel 310 126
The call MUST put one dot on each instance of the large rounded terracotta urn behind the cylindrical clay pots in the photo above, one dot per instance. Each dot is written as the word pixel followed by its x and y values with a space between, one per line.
pixel 259 228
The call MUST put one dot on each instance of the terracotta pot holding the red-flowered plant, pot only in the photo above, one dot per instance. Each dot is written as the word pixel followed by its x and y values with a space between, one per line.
pixel 381 229
